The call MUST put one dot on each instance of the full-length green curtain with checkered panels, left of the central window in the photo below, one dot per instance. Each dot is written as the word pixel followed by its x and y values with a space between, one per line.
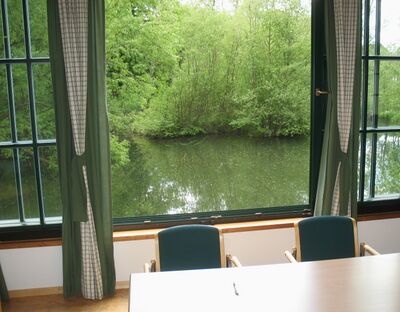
pixel 77 45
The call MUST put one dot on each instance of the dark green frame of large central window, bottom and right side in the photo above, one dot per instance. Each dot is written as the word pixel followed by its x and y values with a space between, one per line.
pixel 317 117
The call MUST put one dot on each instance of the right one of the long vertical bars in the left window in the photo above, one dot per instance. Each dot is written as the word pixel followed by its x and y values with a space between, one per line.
pixel 32 109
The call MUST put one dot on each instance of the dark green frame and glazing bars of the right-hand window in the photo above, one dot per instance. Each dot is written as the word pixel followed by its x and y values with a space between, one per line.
pixel 372 204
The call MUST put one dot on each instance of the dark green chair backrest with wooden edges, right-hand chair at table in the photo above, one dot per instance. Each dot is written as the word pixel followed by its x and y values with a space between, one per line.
pixel 326 237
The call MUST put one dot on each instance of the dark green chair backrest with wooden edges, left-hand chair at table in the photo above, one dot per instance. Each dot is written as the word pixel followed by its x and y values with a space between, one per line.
pixel 188 247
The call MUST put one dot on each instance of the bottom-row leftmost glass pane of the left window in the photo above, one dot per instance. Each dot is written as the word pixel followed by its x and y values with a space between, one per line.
pixel 8 190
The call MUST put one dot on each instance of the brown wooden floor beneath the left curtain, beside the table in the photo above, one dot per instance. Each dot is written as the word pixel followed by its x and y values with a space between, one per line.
pixel 57 303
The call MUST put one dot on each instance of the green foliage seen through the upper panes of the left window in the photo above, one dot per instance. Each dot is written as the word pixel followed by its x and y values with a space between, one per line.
pixel 41 76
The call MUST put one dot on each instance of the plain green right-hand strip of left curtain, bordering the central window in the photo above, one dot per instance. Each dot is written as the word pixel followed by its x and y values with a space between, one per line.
pixel 98 144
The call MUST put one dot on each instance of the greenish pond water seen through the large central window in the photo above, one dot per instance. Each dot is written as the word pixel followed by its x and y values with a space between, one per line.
pixel 211 173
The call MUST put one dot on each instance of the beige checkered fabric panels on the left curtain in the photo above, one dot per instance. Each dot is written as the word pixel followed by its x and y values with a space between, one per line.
pixel 74 32
